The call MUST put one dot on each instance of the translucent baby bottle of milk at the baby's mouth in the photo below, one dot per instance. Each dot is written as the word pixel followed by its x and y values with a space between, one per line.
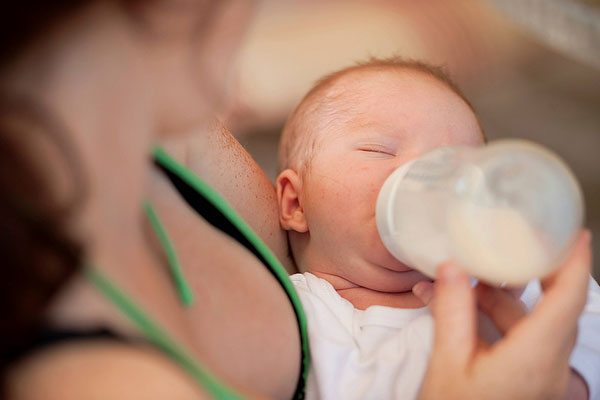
pixel 506 212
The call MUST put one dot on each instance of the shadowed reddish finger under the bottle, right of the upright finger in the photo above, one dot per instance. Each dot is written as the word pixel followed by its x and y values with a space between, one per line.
pixel 500 306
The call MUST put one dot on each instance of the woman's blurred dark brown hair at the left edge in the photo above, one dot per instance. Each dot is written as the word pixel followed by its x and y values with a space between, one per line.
pixel 38 252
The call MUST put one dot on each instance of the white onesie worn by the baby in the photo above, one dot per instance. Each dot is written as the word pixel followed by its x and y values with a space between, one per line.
pixel 382 352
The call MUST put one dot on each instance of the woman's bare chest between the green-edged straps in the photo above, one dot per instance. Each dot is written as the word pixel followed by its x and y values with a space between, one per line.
pixel 243 324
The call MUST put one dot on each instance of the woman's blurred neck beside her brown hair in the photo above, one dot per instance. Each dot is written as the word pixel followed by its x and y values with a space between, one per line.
pixel 88 75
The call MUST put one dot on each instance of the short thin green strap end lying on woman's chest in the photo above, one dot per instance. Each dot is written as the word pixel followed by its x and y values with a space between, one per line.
pixel 183 288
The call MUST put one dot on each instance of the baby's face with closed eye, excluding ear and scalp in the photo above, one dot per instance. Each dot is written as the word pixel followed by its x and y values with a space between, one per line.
pixel 394 118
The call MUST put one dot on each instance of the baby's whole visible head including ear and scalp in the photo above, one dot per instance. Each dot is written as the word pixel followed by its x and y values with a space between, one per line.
pixel 352 130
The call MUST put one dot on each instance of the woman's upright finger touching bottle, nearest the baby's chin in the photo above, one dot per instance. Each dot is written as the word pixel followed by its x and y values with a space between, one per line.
pixel 455 315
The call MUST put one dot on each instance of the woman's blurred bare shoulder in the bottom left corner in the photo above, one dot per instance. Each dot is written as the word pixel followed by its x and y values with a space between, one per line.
pixel 99 369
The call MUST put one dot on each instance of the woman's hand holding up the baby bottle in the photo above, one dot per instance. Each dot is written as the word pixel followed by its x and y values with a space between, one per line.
pixel 531 360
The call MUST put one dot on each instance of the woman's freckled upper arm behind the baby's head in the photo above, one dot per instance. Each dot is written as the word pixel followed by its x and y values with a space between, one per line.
pixel 220 160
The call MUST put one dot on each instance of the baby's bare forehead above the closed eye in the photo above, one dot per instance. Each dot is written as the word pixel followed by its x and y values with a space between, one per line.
pixel 375 96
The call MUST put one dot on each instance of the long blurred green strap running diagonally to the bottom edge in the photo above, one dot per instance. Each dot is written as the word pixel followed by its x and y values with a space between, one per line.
pixel 159 337
